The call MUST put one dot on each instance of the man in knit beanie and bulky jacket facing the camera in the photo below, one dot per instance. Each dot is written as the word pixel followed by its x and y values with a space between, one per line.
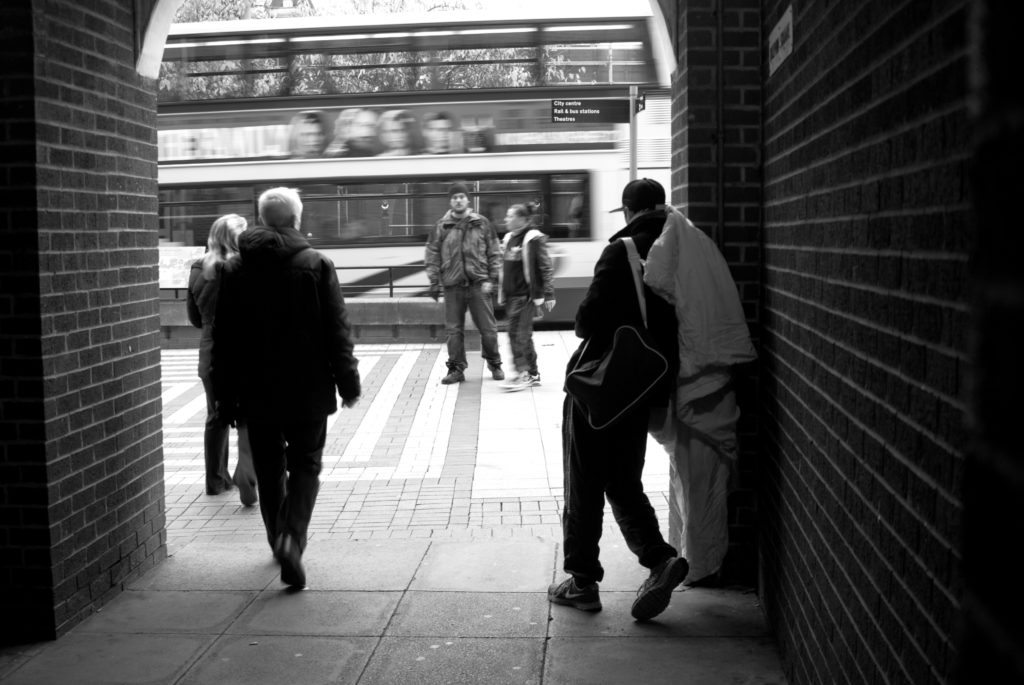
pixel 464 259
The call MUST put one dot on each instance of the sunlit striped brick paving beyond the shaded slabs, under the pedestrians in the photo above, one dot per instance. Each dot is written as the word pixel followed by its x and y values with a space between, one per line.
pixel 414 459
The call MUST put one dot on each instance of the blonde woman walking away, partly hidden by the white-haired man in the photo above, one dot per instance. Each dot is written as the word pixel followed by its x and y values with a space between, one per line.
pixel 204 282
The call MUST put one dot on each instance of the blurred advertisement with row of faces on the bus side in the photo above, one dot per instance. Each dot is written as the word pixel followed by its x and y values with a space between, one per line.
pixel 377 132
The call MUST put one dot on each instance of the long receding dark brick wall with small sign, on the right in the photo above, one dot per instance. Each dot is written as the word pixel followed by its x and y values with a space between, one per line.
pixel 865 322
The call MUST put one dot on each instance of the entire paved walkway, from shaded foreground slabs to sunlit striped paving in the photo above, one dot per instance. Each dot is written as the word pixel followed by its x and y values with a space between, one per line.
pixel 436 536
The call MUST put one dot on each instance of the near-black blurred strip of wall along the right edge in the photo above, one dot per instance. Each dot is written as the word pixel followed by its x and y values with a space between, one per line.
pixel 993 648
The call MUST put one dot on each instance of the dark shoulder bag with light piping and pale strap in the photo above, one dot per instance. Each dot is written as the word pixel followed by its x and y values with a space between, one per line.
pixel 608 388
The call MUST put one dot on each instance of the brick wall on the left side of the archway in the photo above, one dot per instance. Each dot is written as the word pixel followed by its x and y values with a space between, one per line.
pixel 87 512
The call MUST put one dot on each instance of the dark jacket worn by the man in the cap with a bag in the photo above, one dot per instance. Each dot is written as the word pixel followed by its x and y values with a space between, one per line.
pixel 612 302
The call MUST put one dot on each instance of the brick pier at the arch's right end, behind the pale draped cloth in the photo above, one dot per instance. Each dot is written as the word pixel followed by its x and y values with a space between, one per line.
pixel 716 132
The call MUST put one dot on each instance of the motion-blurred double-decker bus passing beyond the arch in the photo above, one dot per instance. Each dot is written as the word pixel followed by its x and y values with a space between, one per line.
pixel 373 122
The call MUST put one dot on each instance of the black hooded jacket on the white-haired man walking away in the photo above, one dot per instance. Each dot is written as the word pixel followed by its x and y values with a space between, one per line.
pixel 281 340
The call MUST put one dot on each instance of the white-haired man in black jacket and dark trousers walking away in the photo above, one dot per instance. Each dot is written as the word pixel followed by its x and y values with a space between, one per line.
pixel 282 354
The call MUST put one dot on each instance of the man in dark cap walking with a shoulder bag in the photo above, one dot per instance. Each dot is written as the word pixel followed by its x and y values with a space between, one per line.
pixel 609 463
